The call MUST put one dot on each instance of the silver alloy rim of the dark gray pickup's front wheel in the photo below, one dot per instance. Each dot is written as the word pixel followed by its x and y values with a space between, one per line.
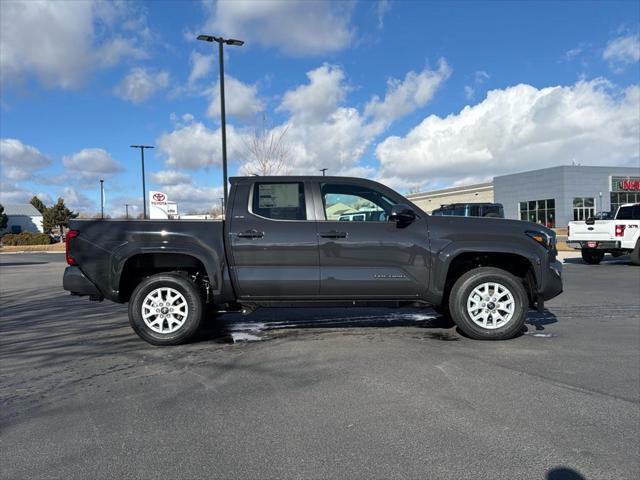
pixel 491 305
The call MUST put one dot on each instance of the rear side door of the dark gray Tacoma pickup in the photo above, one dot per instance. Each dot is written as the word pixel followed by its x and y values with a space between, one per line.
pixel 273 258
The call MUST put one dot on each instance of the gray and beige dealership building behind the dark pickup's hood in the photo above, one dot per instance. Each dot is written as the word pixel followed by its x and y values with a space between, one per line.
pixel 550 196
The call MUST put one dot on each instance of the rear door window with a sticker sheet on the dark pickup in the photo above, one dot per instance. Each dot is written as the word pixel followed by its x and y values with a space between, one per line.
pixel 279 200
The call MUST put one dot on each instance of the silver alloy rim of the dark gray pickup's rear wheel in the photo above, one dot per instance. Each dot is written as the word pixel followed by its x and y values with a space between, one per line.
pixel 164 310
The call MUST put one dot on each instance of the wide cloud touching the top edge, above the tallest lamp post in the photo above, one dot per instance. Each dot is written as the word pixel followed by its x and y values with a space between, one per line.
pixel 312 27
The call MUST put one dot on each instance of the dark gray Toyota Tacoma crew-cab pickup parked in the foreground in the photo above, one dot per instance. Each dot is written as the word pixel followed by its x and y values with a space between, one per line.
pixel 300 242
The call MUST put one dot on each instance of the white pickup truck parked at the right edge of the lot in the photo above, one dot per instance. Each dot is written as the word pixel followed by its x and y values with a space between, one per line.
pixel 619 236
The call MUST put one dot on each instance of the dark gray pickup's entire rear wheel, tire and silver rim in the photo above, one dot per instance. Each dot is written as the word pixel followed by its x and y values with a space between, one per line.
pixel 166 309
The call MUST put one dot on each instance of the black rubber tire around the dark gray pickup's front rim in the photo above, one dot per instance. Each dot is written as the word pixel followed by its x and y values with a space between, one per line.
pixel 464 287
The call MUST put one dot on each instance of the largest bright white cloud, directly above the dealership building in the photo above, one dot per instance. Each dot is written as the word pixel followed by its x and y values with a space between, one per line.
pixel 521 128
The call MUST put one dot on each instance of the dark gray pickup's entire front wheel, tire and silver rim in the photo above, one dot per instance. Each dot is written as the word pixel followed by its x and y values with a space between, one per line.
pixel 489 304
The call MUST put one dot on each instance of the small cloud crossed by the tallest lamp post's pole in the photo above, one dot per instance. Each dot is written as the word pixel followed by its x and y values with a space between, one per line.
pixel 241 100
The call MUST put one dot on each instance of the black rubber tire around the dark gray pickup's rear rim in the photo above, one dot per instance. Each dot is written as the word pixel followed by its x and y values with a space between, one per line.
pixel 190 322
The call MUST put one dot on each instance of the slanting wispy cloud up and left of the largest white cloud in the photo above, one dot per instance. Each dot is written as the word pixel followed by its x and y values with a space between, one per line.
pixel 404 97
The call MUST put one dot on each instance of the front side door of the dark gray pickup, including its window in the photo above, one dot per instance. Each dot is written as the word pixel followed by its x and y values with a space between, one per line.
pixel 362 253
